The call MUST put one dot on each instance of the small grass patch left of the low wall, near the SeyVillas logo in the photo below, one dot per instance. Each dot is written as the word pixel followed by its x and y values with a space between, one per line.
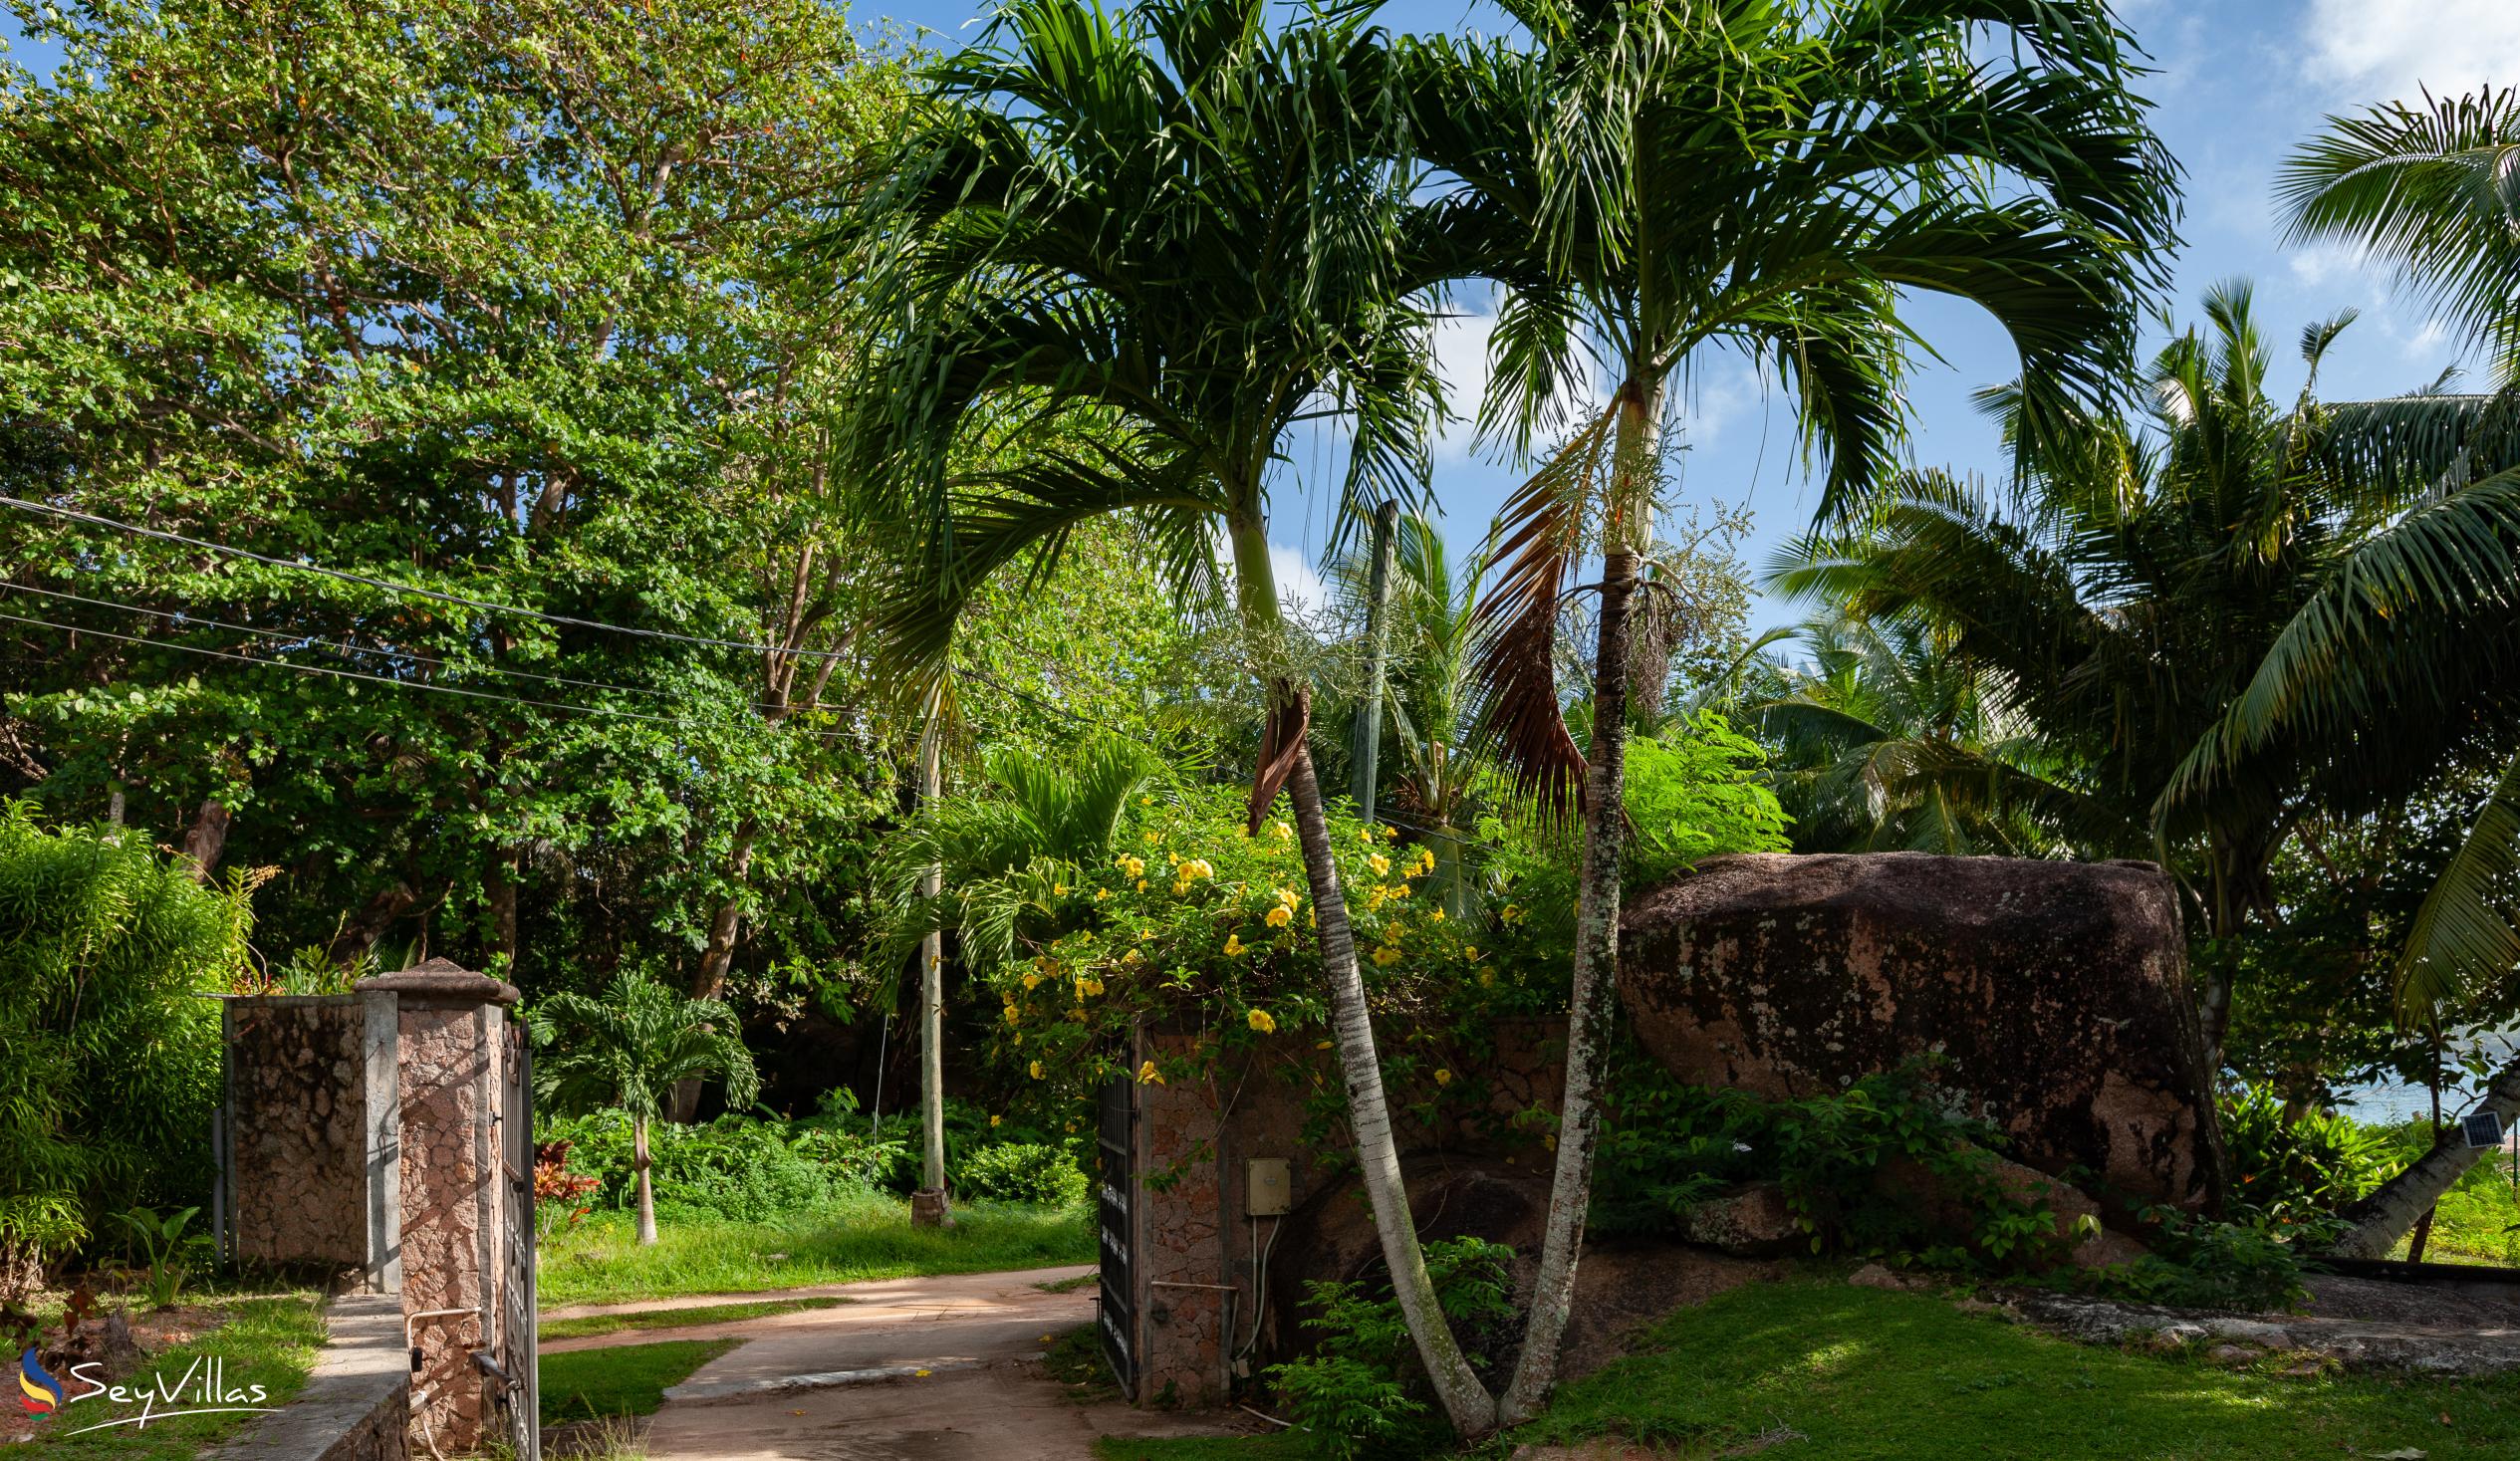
pixel 268 1341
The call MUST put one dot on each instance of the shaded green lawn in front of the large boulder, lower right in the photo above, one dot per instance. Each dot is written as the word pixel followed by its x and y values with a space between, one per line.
pixel 1813 1369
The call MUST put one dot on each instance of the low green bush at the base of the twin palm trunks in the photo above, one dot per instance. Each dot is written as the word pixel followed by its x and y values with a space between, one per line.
pixel 1362 1392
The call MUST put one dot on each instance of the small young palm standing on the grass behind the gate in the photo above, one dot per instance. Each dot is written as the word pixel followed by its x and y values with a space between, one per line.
pixel 626 1052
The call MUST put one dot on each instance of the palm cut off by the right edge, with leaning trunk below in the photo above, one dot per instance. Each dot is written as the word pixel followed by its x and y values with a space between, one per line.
pixel 2418 628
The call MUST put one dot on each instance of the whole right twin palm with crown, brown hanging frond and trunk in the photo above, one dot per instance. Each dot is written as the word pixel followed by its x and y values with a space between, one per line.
pixel 1667 178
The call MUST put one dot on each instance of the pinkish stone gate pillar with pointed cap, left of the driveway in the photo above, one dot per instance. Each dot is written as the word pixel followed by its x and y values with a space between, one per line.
pixel 450 1034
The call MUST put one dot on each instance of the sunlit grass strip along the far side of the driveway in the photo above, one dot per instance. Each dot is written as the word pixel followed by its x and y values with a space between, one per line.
pixel 853 1241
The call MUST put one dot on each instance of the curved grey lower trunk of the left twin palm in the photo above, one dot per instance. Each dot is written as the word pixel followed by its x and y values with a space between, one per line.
pixel 1465 1399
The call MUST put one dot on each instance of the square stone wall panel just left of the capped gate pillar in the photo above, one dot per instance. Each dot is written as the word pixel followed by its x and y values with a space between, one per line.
pixel 309 1102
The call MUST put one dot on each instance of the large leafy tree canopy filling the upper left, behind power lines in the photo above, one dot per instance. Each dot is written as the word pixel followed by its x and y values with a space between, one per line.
pixel 483 301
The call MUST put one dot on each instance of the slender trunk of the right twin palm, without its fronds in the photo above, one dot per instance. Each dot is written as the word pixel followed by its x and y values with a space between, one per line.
pixel 1596 908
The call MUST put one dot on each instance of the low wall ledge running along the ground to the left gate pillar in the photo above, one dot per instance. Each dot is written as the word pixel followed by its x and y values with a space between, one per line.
pixel 359 1402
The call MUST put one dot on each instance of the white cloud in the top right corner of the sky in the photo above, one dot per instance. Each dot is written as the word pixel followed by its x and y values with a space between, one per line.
pixel 2373 52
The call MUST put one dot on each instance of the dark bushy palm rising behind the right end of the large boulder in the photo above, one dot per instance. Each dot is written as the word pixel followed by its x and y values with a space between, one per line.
pixel 2138 583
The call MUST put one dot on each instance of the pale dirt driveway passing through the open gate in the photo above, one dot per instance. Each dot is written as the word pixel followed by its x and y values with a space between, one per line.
pixel 845 1384
